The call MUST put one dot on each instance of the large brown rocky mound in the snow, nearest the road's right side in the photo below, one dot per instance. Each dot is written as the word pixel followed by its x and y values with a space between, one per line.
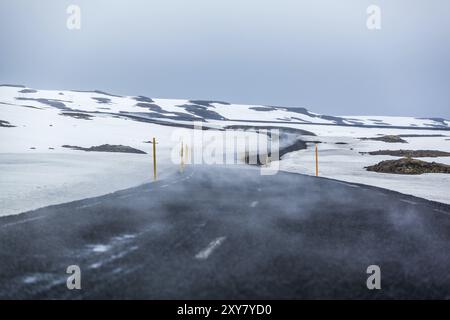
pixel 409 166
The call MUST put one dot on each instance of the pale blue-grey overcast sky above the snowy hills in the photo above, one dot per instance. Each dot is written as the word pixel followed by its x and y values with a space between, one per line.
pixel 314 53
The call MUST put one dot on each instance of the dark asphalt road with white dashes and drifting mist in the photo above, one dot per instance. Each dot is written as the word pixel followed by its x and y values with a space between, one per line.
pixel 230 233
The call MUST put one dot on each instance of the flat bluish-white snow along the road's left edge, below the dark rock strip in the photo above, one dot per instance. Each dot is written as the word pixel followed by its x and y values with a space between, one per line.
pixel 31 181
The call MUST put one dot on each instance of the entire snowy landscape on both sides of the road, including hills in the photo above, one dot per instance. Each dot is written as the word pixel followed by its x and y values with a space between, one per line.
pixel 37 171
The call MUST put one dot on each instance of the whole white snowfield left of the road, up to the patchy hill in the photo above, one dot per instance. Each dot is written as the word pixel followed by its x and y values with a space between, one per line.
pixel 32 178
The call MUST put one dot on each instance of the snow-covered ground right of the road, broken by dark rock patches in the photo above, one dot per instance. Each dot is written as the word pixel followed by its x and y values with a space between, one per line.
pixel 339 162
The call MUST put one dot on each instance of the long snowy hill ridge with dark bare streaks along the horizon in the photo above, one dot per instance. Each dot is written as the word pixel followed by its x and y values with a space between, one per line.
pixel 83 104
